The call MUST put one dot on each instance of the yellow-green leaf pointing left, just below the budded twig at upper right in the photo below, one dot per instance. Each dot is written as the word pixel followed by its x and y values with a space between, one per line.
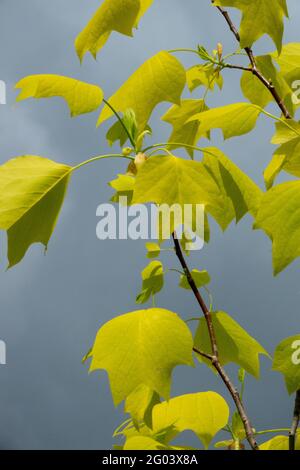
pixel 234 119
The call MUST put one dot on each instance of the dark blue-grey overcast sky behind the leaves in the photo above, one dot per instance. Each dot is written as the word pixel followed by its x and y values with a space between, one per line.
pixel 52 306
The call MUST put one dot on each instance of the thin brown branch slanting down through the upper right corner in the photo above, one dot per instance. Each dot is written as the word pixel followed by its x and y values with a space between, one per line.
pixel 254 69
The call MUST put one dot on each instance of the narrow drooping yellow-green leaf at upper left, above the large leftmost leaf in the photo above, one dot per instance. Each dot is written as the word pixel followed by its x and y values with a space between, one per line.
pixel 81 97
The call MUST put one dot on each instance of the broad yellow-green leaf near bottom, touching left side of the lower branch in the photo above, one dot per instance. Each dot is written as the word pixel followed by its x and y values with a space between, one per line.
pixel 203 413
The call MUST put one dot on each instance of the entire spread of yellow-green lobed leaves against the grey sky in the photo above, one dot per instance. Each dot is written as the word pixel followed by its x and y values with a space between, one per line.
pixel 139 350
